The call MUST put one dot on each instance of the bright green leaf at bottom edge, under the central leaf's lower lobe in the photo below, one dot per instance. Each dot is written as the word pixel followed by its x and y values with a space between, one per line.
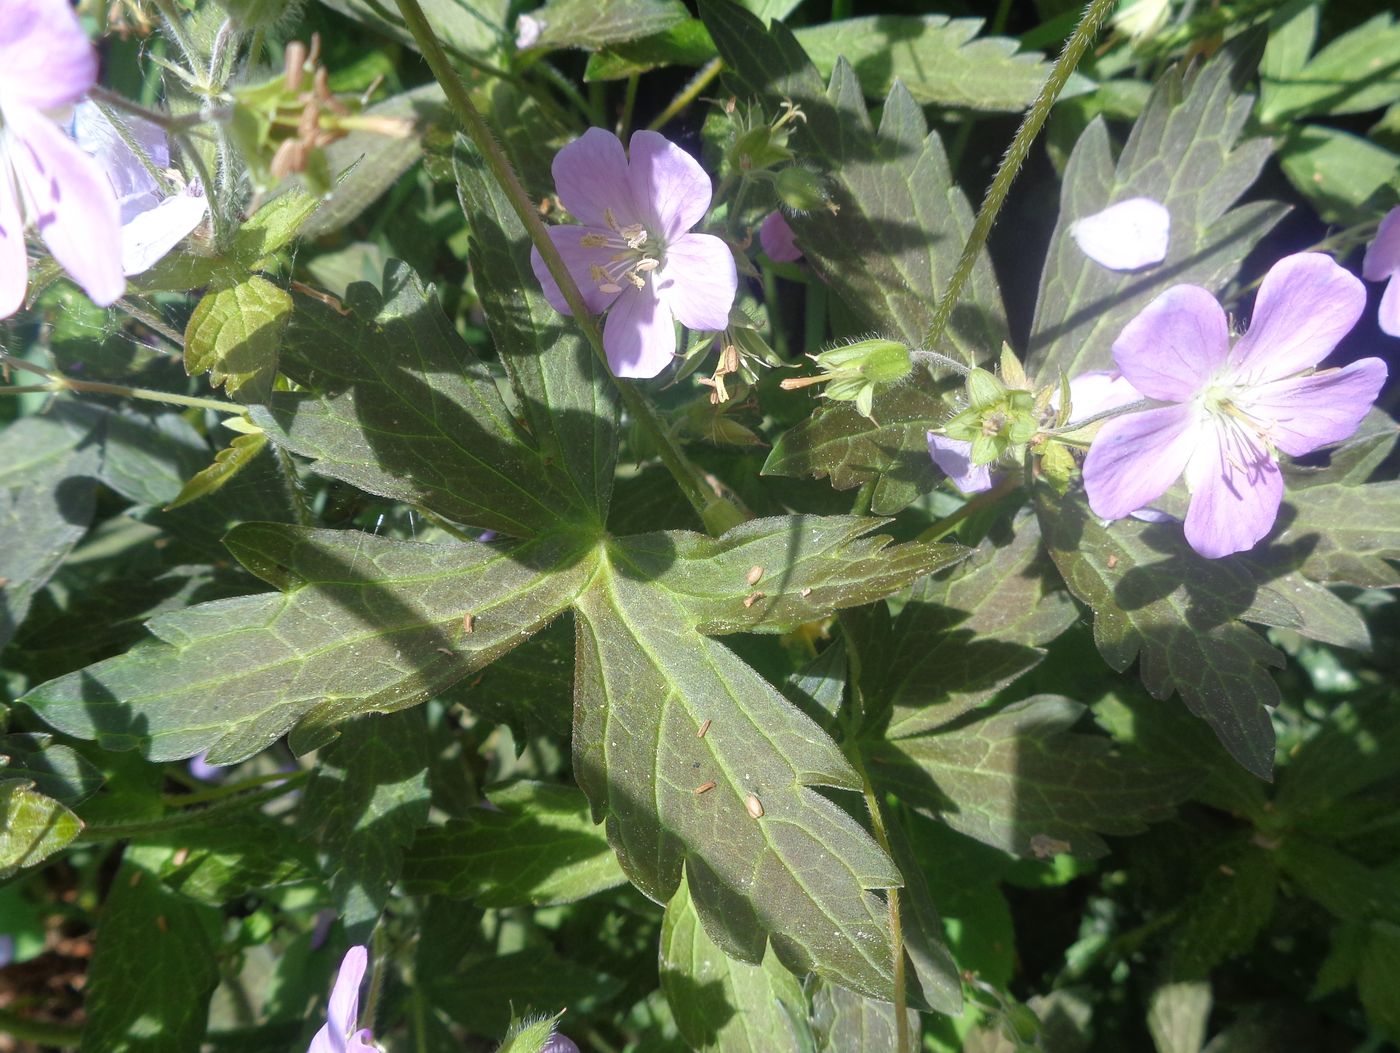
pixel 722 1005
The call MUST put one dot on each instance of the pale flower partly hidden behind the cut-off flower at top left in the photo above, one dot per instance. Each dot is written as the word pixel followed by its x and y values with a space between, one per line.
pixel 153 222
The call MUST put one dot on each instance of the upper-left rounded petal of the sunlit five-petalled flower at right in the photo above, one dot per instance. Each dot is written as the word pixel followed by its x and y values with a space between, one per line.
pixel 1174 345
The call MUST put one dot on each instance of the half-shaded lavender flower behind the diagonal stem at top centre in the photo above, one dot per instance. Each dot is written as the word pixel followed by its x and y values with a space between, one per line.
pixel 632 254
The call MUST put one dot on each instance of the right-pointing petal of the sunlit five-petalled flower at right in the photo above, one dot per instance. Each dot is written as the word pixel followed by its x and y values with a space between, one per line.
pixel 1303 414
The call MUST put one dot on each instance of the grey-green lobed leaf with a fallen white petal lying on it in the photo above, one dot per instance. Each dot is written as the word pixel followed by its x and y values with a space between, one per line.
pixel 1185 153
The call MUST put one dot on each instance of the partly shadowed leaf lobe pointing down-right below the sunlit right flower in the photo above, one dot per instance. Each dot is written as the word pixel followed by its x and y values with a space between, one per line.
pixel 1156 600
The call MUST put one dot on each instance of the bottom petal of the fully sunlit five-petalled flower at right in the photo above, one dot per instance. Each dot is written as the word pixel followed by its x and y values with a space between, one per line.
pixel 1235 492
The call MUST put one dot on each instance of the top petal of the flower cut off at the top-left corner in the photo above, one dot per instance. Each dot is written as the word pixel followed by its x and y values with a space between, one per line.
pixel 47 62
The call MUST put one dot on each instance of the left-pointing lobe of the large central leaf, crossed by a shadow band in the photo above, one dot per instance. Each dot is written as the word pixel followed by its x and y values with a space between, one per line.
pixel 367 625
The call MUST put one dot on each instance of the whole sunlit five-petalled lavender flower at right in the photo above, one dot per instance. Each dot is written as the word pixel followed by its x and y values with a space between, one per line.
pixel 1233 408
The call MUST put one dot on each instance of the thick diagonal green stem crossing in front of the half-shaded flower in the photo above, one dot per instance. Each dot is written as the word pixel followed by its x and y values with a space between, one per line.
pixel 691 482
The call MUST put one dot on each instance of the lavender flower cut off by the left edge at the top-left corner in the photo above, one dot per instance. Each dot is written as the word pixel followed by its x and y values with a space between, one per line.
pixel 47 65
